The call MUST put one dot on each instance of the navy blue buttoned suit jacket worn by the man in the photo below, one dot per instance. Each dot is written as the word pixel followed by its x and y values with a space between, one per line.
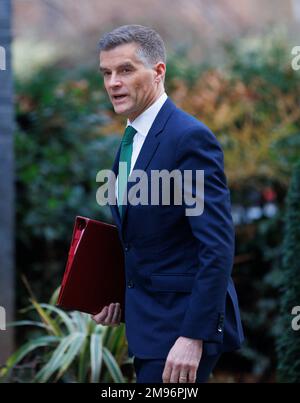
pixel 178 267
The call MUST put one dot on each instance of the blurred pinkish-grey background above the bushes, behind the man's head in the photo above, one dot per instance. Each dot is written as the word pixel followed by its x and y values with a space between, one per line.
pixel 72 28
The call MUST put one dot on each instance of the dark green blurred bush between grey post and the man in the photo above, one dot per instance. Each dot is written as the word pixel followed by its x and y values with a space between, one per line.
pixel 59 149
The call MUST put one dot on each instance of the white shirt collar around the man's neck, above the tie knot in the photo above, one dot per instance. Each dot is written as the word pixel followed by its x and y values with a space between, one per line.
pixel 144 121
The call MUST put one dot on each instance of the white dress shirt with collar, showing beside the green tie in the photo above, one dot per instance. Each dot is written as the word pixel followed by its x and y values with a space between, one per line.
pixel 142 125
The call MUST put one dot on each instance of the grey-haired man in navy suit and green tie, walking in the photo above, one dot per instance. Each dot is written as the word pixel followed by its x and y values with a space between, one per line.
pixel 181 307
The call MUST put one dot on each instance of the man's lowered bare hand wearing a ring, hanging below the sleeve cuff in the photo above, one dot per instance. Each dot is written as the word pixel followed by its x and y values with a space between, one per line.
pixel 183 361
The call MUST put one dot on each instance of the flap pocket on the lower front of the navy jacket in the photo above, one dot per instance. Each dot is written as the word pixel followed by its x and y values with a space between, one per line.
pixel 173 282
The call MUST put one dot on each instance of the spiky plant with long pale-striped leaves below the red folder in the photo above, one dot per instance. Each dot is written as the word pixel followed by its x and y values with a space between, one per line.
pixel 69 347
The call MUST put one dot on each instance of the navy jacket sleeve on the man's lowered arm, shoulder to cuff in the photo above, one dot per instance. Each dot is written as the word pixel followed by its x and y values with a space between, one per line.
pixel 198 149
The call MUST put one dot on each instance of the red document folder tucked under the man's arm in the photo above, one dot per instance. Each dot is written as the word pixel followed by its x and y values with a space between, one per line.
pixel 94 275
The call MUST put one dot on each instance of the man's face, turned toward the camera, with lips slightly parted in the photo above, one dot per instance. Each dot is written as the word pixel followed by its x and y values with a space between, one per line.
pixel 131 85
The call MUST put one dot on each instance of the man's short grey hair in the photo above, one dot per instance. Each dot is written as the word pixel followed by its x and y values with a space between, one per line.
pixel 151 48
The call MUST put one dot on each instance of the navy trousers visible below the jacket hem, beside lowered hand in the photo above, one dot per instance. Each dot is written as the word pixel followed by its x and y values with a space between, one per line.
pixel 151 370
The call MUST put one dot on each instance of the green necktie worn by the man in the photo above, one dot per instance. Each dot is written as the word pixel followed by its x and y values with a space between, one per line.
pixel 124 168
